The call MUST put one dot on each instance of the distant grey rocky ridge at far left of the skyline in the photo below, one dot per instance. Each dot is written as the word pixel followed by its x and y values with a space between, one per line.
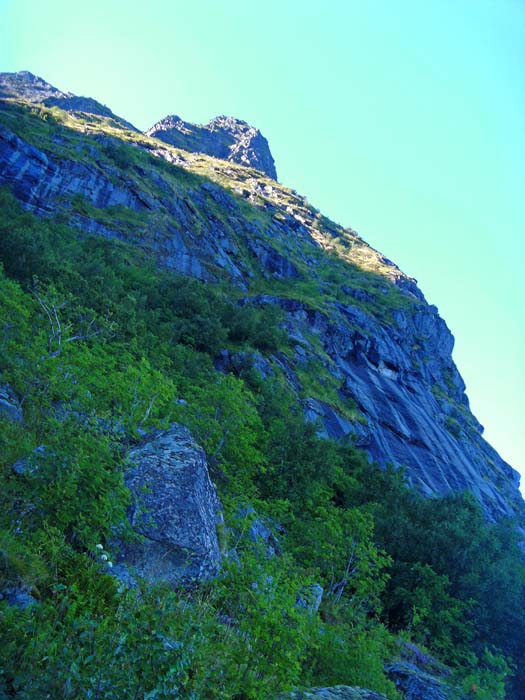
pixel 31 88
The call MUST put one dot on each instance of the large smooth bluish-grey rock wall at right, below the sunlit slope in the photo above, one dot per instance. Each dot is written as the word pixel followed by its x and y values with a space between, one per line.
pixel 406 402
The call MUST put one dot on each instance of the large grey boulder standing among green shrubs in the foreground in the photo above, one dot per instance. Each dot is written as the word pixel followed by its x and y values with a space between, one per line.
pixel 175 511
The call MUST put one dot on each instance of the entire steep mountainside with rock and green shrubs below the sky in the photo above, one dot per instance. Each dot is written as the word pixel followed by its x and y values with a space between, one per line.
pixel 237 459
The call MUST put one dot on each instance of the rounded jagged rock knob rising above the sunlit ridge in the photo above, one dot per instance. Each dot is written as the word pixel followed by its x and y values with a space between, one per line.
pixel 223 137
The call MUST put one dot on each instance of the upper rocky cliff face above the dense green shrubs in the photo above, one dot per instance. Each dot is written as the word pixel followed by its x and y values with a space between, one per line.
pixel 370 360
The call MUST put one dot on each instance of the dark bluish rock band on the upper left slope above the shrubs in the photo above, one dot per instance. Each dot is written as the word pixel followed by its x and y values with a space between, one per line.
pixel 190 240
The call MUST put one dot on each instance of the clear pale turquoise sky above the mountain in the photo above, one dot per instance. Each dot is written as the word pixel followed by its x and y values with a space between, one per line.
pixel 404 119
